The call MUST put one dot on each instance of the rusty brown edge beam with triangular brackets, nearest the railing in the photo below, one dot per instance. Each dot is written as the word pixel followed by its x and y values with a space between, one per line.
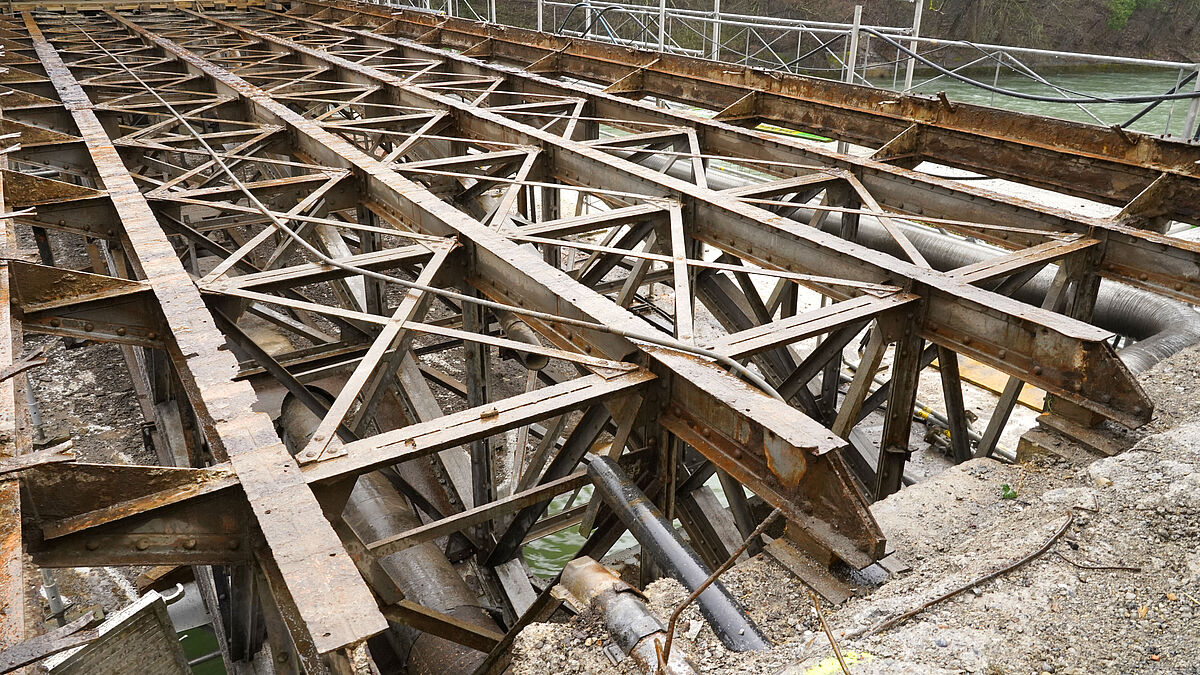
pixel 1106 165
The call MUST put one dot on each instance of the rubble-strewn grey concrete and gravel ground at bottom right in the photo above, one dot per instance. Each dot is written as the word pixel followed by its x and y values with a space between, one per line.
pixel 1058 614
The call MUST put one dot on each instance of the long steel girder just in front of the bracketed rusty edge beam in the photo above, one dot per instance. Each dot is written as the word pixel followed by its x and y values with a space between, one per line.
pixel 1136 256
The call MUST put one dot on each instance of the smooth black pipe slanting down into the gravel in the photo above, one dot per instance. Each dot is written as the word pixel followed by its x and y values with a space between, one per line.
pixel 656 535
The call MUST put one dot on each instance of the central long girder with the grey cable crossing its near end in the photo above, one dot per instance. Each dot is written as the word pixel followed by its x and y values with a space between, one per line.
pixel 508 272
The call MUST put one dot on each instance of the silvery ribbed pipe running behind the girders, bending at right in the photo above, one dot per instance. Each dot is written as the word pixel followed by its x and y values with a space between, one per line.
pixel 1162 327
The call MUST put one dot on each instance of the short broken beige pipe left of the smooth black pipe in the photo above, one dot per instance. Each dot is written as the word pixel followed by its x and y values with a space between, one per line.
pixel 629 622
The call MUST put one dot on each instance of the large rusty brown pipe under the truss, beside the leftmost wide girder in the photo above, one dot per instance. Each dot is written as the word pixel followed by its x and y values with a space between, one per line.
pixel 376 511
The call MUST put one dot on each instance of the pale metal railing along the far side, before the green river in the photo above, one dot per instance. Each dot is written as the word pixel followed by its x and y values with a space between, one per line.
pixel 897 58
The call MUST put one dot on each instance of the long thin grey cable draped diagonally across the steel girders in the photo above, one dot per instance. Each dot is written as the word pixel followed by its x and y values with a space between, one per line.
pixel 670 344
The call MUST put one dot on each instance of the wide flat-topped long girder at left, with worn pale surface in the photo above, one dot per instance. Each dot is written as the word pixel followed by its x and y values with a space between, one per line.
pixel 332 601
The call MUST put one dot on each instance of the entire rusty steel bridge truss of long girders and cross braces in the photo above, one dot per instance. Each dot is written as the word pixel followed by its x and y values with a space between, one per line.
pixel 376 201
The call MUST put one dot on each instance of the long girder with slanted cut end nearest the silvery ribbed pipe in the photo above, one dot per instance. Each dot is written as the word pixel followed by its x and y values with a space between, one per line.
pixel 1060 355
